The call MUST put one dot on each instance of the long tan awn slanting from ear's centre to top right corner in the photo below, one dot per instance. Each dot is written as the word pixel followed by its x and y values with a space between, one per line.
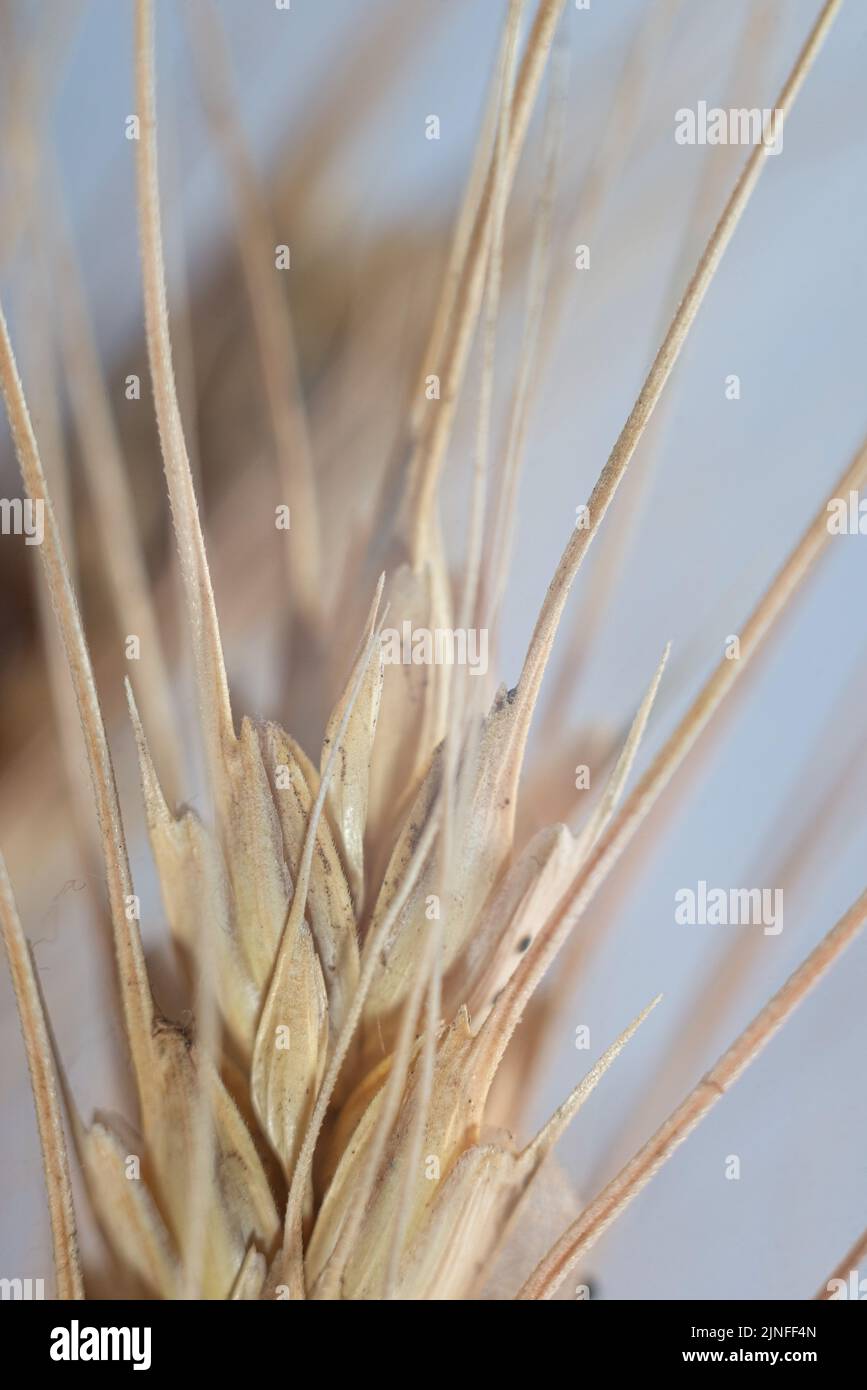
pixel 663 363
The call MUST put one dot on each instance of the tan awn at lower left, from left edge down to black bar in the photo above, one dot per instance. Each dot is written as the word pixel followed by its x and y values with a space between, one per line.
pixel 47 1097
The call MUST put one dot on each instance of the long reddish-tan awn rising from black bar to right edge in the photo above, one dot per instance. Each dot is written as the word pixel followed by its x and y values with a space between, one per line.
pixel 638 1172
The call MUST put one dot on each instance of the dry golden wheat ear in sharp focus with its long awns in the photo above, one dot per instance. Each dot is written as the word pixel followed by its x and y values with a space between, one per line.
pixel 362 933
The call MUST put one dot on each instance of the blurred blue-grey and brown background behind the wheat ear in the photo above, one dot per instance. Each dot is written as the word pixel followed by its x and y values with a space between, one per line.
pixel 334 97
